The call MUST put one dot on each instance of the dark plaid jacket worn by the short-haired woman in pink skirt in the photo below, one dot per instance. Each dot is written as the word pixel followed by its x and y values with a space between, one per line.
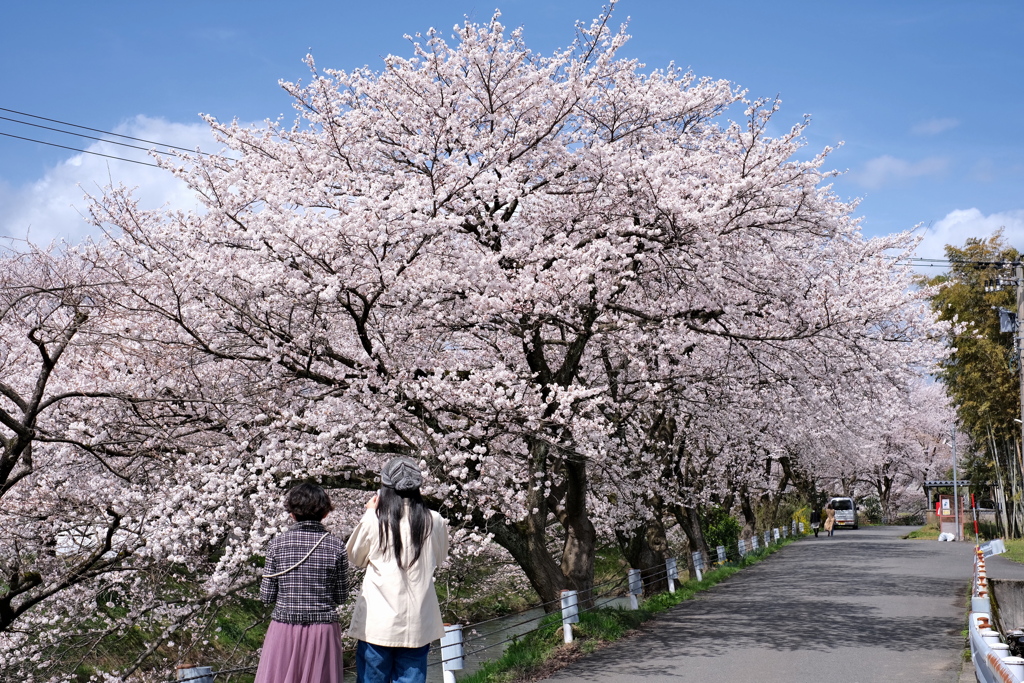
pixel 312 592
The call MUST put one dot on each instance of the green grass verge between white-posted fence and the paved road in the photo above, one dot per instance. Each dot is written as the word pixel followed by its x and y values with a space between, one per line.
pixel 541 653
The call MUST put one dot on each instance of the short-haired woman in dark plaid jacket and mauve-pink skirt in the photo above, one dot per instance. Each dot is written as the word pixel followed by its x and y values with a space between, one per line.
pixel 306 577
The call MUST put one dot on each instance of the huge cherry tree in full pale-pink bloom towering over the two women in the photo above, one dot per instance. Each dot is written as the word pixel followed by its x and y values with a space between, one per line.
pixel 582 297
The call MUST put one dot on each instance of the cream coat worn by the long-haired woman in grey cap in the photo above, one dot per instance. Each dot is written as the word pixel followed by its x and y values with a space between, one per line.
pixel 397 608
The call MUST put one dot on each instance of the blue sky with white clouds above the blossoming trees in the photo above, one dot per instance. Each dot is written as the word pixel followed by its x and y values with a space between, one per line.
pixel 927 96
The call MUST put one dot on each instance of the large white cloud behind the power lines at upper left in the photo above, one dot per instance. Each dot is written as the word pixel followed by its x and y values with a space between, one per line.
pixel 53 208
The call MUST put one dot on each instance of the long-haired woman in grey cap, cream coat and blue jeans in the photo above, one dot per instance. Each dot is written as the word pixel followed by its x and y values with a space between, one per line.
pixel 400 542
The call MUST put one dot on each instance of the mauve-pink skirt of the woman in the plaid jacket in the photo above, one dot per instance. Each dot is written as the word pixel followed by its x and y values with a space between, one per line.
pixel 302 654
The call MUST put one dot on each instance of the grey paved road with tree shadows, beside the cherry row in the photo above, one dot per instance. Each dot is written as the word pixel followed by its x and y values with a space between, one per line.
pixel 860 608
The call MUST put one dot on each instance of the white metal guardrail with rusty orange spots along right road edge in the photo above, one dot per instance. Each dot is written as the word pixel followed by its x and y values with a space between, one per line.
pixel 990 653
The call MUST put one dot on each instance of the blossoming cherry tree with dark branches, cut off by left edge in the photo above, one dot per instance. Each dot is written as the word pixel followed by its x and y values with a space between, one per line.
pixel 82 458
